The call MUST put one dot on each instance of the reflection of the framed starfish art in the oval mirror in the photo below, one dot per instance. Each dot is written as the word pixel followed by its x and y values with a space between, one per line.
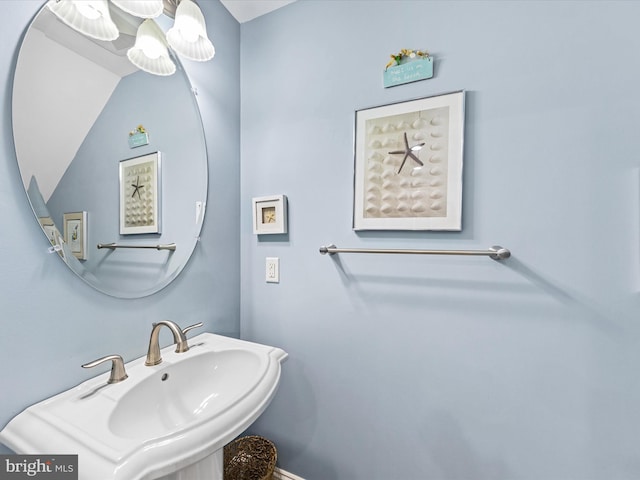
pixel 140 182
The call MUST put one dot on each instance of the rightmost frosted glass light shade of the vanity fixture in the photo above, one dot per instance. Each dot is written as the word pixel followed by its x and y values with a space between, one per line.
pixel 188 36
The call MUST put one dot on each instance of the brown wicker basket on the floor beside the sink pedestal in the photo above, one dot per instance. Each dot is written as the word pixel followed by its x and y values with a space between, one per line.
pixel 250 458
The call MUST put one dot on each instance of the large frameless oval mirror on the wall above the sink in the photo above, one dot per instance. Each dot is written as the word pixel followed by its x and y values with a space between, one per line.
pixel 109 154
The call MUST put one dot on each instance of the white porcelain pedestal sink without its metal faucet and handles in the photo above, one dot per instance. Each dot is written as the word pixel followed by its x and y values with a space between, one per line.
pixel 162 419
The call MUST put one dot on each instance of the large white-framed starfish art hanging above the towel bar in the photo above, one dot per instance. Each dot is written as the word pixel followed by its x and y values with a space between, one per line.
pixel 408 165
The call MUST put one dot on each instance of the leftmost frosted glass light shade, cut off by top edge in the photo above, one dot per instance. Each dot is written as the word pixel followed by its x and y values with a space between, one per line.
pixel 89 17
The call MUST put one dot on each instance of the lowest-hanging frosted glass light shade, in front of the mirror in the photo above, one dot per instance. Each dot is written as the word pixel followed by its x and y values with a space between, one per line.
pixel 150 50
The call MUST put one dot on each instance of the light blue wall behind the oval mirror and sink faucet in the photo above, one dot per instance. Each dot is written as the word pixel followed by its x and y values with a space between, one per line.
pixel 51 322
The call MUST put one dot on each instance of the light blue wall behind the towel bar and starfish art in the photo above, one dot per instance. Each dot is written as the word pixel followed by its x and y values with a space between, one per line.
pixel 449 367
